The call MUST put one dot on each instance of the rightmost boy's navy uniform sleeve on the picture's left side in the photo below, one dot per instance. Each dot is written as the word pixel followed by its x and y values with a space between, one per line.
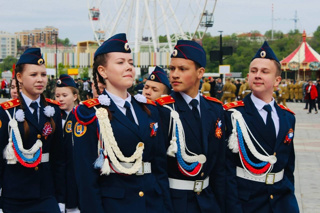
pixel 232 202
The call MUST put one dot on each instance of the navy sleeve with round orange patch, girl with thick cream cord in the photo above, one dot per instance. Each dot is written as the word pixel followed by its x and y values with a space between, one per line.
pixel 85 153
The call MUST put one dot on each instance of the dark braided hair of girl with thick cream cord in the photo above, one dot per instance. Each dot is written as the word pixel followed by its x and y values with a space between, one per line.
pixel 101 60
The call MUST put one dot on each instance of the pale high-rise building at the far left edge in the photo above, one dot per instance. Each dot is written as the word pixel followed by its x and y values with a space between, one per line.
pixel 8 45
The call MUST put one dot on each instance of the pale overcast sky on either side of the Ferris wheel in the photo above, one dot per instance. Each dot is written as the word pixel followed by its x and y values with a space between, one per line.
pixel 231 16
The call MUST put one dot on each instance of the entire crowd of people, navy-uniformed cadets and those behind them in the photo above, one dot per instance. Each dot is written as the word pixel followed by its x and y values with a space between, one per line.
pixel 171 144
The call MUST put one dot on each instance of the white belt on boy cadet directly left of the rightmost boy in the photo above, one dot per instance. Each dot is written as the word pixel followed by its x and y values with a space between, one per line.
pixel 196 186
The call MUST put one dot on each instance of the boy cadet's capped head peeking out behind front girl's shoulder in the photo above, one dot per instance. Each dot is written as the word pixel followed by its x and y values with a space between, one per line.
pixel 156 85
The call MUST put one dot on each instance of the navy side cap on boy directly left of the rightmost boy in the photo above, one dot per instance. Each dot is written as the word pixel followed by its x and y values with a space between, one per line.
pixel 190 50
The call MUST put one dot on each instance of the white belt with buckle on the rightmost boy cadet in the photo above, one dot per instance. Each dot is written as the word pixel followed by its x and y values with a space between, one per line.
pixel 270 178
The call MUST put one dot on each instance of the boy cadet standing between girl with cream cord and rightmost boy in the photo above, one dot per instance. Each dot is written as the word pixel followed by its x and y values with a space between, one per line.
pixel 196 150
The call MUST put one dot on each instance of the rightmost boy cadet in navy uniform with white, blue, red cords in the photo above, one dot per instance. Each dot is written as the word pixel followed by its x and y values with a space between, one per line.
pixel 260 158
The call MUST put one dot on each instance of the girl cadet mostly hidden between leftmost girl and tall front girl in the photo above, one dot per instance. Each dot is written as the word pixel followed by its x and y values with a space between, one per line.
pixel 67 93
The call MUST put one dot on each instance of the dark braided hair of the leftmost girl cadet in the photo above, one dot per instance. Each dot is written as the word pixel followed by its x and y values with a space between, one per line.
pixel 19 69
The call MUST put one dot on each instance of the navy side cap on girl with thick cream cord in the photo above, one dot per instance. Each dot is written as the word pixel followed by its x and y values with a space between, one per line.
pixel 117 43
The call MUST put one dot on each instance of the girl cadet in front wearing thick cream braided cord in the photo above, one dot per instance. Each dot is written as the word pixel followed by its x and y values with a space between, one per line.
pixel 120 161
